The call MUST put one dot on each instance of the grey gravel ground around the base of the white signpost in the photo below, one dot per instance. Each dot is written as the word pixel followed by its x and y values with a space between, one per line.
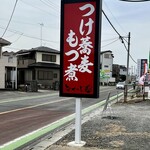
pixel 127 127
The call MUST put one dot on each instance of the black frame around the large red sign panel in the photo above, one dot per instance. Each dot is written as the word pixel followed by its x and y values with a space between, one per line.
pixel 97 38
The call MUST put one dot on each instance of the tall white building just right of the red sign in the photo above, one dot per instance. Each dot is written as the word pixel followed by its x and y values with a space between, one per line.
pixel 106 62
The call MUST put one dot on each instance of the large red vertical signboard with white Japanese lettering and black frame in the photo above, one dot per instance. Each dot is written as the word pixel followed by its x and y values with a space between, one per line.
pixel 79 59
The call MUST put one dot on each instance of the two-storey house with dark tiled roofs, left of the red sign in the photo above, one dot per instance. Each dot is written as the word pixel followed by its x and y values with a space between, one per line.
pixel 40 64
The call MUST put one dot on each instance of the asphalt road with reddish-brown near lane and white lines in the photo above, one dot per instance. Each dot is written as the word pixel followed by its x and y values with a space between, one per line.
pixel 25 112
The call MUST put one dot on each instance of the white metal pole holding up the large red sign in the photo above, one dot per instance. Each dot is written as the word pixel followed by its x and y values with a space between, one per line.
pixel 78 121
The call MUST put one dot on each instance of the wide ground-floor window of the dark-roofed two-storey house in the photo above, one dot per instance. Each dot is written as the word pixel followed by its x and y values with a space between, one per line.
pixel 45 75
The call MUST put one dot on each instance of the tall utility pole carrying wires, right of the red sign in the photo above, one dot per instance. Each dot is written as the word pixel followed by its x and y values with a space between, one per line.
pixel 127 75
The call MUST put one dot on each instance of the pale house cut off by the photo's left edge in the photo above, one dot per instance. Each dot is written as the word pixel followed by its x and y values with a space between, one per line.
pixel 8 67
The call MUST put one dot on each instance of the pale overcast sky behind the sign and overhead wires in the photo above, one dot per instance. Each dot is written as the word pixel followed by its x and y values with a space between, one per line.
pixel 33 16
